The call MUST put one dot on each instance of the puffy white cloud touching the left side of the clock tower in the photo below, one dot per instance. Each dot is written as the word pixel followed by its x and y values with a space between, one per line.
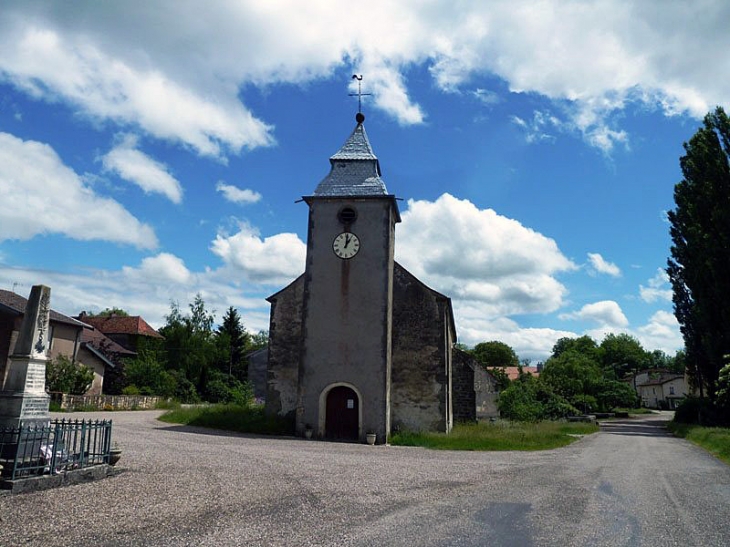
pixel 274 260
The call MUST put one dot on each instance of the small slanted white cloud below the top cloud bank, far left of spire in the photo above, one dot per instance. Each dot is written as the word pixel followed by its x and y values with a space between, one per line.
pixel 138 168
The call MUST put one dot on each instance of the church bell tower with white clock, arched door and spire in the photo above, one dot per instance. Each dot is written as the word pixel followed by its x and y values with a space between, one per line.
pixel 345 367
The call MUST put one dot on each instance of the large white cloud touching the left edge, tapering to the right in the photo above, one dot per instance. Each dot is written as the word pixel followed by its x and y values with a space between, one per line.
pixel 41 195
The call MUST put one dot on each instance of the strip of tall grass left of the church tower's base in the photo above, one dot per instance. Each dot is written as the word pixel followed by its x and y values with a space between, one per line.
pixel 243 419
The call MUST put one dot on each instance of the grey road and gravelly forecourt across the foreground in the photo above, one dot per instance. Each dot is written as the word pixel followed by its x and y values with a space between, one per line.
pixel 632 484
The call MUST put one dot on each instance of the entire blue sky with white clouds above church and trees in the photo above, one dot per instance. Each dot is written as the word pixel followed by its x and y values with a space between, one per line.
pixel 151 151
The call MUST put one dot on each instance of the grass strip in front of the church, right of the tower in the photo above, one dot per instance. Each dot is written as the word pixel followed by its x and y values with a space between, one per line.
pixel 502 435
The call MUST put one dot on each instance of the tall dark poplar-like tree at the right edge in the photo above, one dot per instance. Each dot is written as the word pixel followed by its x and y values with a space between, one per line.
pixel 699 263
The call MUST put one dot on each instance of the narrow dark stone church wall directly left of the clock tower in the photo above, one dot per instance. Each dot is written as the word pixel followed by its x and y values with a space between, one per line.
pixel 285 337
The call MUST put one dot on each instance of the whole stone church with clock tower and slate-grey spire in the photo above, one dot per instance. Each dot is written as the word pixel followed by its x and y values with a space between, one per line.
pixel 357 344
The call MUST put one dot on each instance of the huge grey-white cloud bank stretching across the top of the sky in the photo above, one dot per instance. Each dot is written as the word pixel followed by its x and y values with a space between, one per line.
pixel 126 63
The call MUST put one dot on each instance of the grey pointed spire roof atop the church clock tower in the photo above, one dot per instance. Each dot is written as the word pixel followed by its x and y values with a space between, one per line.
pixel 355 169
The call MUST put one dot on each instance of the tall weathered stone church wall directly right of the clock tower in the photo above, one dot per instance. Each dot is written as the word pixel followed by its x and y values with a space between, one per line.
pixel 420 365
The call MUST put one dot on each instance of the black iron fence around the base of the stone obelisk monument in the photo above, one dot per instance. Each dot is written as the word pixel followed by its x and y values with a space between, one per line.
pixel 60 446
